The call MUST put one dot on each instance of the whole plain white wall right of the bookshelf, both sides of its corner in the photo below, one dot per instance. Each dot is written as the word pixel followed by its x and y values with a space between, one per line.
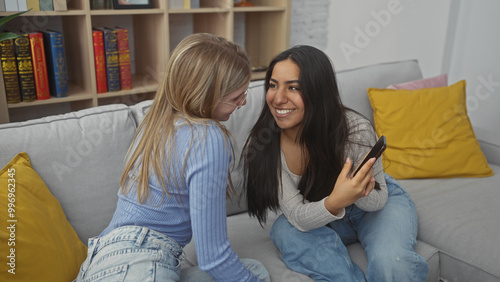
pixel 457 37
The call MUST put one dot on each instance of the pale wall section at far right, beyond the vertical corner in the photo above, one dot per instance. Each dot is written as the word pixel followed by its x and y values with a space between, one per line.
pixel 475 57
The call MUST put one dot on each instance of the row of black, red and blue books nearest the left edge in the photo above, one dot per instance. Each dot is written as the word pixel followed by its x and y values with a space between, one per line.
pixel 34 66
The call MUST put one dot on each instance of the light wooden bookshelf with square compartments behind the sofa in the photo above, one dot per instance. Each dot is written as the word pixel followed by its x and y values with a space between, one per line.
pixel 152 35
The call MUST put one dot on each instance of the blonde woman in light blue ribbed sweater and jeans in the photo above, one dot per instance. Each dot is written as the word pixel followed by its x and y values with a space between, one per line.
pixel 176 177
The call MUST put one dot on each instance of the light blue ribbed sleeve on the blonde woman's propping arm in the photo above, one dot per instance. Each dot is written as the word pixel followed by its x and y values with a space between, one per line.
pixel 206 179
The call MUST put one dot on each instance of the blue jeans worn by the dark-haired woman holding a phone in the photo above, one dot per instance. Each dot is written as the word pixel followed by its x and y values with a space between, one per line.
pixel 388 237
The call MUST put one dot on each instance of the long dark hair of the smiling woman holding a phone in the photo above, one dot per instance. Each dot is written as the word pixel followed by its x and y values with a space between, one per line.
pixel 324 133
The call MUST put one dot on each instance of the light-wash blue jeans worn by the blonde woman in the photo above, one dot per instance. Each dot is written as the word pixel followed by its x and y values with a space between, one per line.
pixel 134 253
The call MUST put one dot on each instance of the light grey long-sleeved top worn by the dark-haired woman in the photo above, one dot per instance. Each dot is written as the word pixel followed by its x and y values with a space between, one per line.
pixel 305 215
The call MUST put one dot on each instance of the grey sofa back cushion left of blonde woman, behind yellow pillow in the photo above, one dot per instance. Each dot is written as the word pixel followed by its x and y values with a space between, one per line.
pixel 80 156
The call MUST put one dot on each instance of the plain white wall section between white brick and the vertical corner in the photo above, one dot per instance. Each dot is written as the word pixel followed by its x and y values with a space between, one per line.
pixel 366 32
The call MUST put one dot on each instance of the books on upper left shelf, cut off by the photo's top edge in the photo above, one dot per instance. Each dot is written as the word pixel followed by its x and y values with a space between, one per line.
pixel 34 5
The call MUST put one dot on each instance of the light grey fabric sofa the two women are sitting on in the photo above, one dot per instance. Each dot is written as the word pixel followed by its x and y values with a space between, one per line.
pixel 80 157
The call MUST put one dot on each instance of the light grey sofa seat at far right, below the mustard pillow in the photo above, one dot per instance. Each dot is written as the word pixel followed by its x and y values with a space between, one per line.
pixel 458 217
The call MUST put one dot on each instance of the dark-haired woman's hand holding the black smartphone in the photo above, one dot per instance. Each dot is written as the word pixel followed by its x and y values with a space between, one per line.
pixel 349 189
